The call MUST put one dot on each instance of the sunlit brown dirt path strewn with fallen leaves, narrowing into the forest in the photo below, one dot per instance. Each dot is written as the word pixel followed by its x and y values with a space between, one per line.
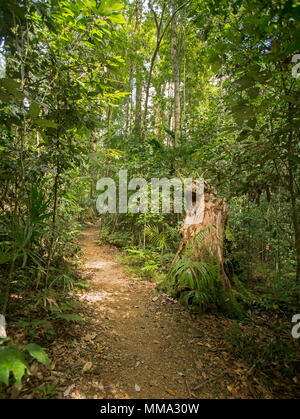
pixel 138 344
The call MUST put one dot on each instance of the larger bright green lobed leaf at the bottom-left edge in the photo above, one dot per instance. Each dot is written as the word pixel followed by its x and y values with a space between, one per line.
pixel 12 360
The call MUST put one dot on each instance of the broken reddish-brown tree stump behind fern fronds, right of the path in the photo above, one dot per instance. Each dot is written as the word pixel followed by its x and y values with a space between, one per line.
pixel 209 215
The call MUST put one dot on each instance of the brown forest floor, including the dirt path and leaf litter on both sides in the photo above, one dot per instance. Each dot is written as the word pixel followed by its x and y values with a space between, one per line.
pixel 137 343
